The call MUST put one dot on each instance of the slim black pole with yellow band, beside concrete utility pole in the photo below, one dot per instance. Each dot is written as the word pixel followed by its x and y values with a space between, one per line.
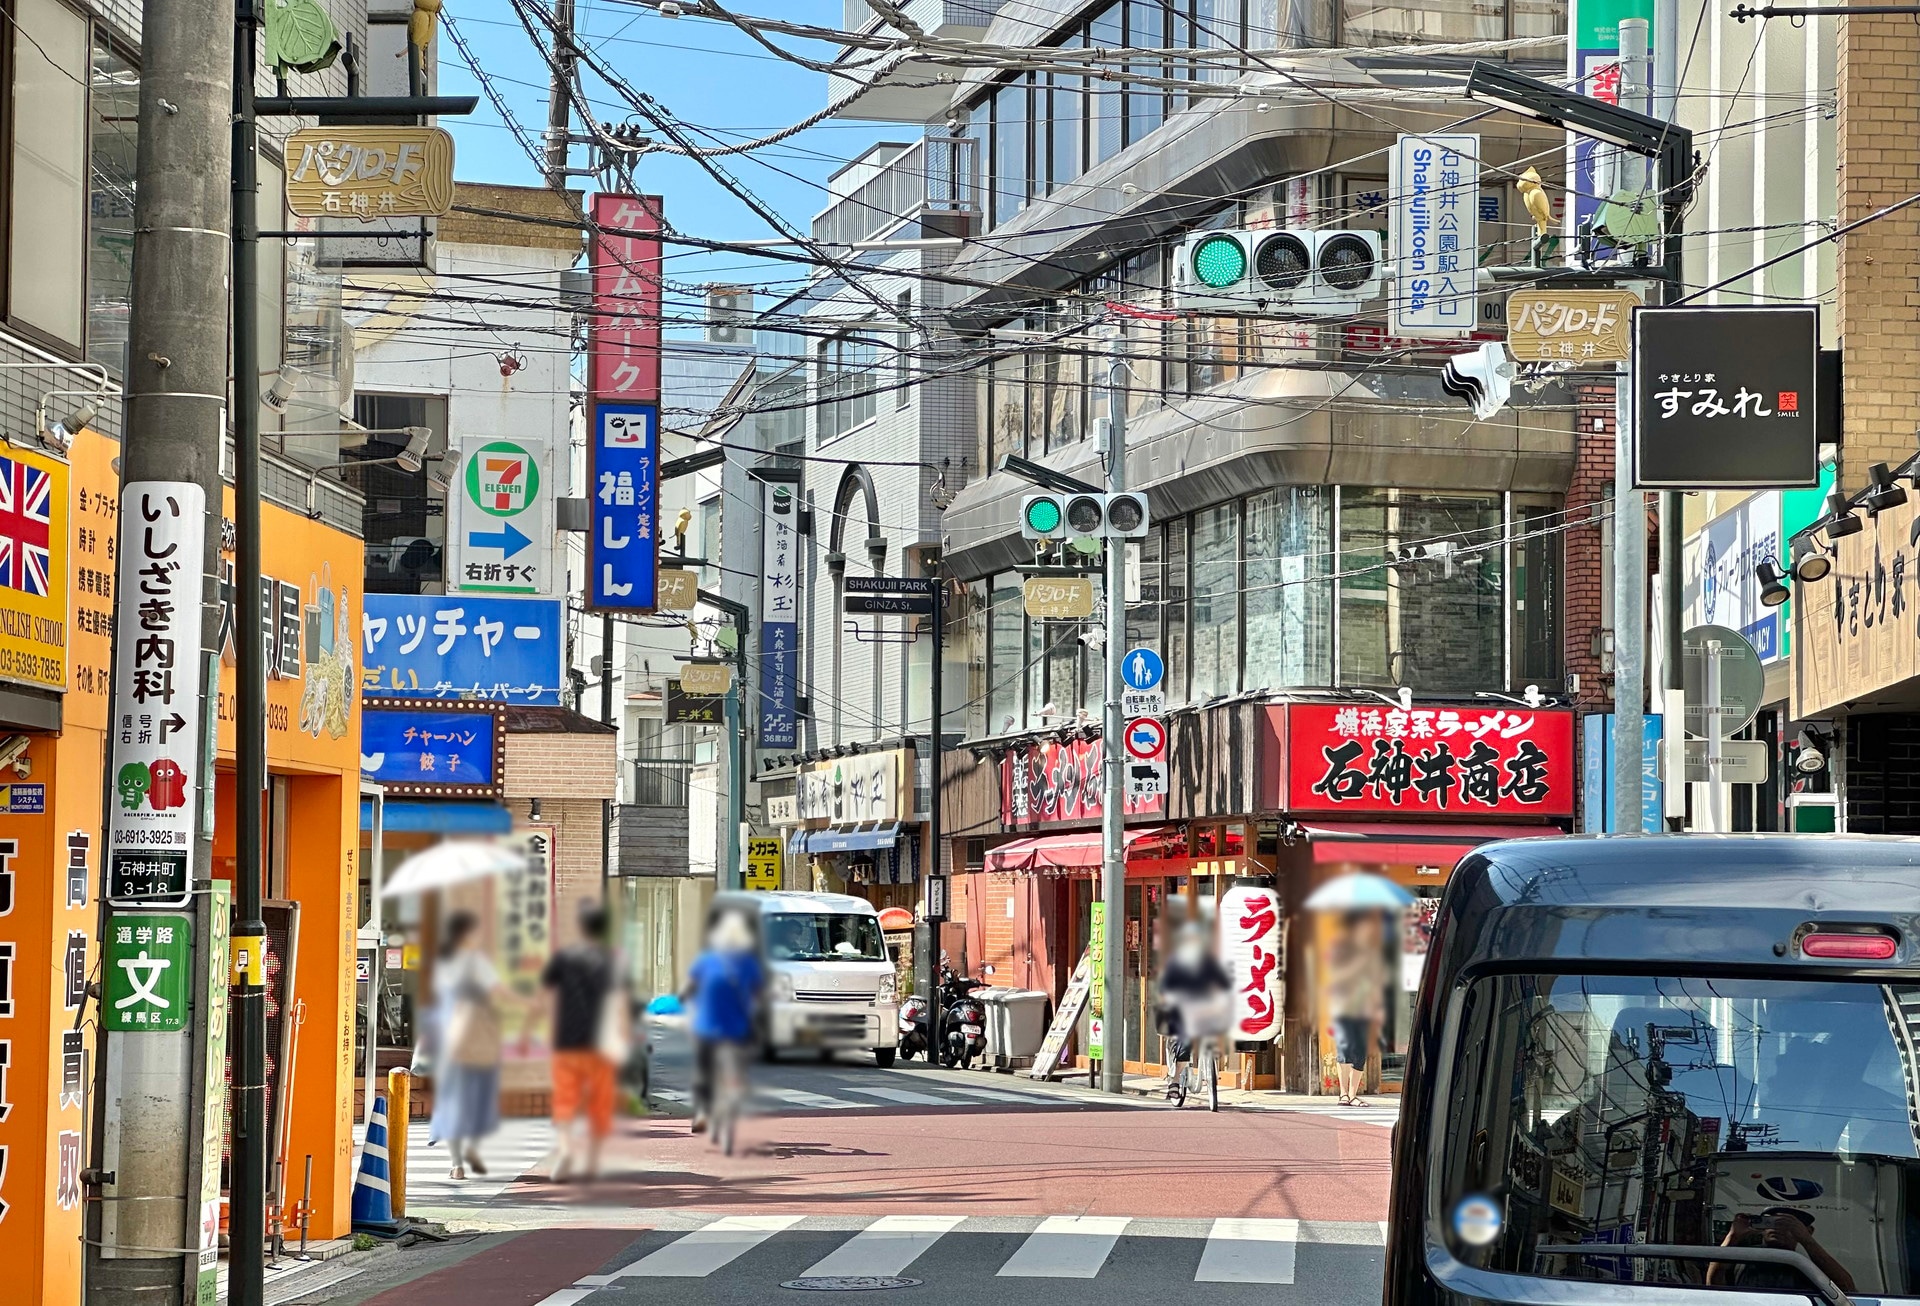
pixel 249 1096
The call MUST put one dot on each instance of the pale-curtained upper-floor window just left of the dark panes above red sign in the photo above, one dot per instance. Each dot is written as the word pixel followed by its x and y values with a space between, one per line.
pixel 1289 617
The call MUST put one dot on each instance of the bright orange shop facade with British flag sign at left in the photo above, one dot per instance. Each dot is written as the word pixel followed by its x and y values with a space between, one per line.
pixel 57 598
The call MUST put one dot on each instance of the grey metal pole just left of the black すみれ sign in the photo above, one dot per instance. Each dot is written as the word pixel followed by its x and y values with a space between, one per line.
pixel 1629 514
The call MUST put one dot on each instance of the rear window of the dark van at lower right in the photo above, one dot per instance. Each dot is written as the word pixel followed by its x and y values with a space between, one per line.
pixel 1606 1111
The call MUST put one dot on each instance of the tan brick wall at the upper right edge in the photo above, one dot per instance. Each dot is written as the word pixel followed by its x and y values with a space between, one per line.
pixel 1879 295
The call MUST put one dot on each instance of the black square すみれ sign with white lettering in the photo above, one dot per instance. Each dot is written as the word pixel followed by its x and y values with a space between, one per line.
pixel 1727 399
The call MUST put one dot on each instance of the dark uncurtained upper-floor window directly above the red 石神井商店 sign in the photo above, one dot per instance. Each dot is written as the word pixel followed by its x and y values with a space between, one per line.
pixel 1433 625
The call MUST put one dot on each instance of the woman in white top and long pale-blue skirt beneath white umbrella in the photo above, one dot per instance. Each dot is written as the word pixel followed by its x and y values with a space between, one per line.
pixel 468 1075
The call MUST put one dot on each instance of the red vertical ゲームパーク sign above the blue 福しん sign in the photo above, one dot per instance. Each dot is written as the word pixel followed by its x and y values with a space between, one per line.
pixel 625 356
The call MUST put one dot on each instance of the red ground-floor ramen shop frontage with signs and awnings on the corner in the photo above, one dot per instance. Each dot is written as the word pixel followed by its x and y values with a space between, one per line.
pixel 1295 792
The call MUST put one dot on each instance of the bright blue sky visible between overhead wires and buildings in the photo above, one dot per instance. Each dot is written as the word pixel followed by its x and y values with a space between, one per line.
pixel 708 76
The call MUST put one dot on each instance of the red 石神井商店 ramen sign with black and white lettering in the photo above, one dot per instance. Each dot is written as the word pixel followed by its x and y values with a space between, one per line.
pixel 1431 762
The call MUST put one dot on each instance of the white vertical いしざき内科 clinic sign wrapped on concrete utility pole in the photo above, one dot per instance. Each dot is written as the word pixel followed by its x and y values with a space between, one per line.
pixel 156 696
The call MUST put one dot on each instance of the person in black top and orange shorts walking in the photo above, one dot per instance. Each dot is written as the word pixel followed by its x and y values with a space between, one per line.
pixel 583 980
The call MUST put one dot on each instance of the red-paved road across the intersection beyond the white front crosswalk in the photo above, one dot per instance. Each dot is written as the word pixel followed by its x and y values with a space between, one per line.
pixel 1003 1163
